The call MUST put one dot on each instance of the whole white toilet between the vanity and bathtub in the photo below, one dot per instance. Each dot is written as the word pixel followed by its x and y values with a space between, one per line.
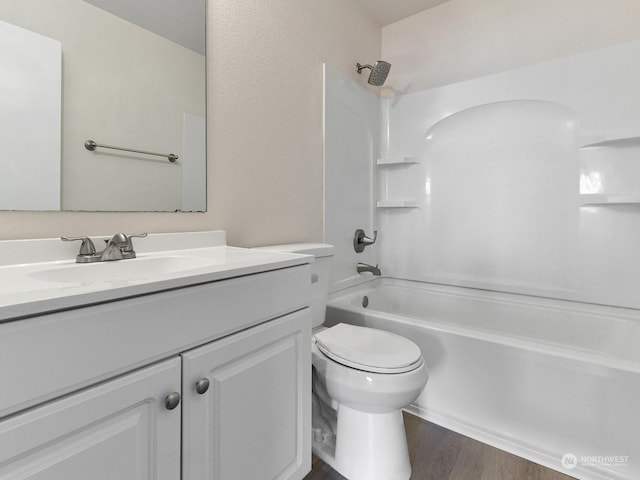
pixel 362 378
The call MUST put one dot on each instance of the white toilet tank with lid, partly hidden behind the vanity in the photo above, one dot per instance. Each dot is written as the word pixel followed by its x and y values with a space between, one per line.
pixel 320 273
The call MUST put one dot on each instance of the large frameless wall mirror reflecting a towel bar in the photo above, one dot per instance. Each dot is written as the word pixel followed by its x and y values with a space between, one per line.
pixel 121 73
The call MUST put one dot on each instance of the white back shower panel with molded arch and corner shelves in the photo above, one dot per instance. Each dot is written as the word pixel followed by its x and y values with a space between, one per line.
pixel 527 181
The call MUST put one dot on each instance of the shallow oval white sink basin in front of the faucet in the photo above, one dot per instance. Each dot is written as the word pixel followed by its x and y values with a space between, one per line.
pixel 121 271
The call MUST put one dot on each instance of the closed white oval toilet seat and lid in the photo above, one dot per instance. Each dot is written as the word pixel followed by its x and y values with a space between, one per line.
pixel 369 349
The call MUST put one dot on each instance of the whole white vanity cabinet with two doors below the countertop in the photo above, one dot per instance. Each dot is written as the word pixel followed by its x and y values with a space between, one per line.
pixel 84 391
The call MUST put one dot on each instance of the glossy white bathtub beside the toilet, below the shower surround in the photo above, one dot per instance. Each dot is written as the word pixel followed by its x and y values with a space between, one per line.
pixel 543 379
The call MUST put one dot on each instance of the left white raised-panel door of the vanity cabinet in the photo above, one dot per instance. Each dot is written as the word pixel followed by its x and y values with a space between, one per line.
pixel 116 430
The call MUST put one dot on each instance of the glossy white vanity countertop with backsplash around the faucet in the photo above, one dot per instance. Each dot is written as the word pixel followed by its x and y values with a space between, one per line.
pixel 40 276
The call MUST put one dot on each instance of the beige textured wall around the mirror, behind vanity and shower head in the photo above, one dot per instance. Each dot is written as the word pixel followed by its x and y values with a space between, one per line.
pixel 264 96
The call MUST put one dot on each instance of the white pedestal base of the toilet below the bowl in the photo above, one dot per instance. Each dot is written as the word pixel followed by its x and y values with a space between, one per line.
pixel 368 446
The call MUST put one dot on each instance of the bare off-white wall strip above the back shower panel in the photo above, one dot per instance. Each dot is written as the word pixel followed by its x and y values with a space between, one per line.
pixel 463 39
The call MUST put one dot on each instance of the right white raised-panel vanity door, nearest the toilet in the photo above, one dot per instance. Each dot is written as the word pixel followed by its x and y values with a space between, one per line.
pixel 254 421
